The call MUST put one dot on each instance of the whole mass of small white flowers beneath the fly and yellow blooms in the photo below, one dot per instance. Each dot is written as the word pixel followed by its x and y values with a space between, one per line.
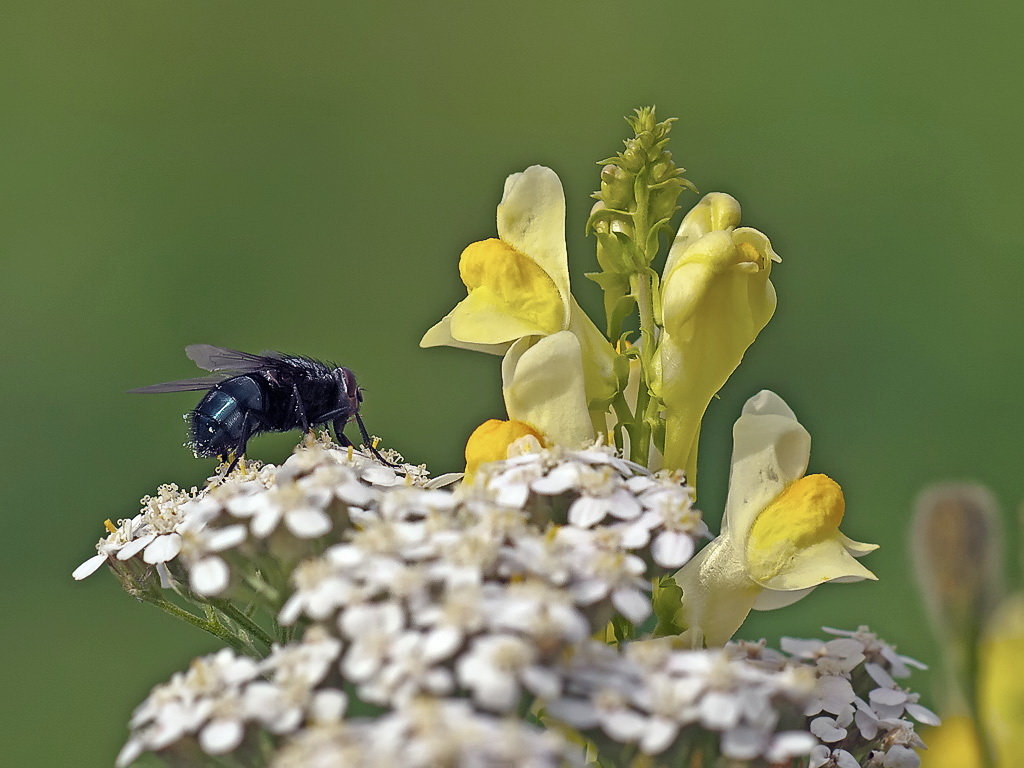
pixel 468 617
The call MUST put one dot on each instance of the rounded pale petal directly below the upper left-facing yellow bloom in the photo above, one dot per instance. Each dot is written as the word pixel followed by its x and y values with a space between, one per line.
pixel 543 385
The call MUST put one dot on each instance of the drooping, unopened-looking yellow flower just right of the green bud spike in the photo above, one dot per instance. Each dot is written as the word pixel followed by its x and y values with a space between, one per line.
pixel 716 297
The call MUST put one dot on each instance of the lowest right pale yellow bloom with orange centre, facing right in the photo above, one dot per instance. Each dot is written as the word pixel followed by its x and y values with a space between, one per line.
pixel 781 536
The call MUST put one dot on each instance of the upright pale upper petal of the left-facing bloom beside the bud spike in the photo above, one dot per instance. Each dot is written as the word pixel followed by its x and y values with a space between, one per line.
pixel 532 220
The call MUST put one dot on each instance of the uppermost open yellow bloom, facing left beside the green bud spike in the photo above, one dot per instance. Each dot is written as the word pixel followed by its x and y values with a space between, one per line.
pixel 519 293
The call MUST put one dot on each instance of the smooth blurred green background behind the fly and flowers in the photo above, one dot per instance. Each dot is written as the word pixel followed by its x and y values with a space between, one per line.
pixel 304 177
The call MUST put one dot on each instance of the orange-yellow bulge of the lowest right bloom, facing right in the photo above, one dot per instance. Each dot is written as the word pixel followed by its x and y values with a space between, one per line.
pixel 807 513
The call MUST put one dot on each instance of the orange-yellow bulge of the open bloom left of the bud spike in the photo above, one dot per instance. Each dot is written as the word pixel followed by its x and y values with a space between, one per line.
pixel 513 282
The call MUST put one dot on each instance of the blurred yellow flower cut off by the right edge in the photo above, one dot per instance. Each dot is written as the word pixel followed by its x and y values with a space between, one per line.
pixel 1001 682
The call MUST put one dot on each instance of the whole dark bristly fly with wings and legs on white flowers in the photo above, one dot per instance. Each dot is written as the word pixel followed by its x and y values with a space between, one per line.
pixel 270 393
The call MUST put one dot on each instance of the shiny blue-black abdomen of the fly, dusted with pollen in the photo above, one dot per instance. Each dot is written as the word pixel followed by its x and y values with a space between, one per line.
pixel 227 417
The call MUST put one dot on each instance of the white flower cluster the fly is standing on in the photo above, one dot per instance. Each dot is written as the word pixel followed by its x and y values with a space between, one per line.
pixel 261 513
